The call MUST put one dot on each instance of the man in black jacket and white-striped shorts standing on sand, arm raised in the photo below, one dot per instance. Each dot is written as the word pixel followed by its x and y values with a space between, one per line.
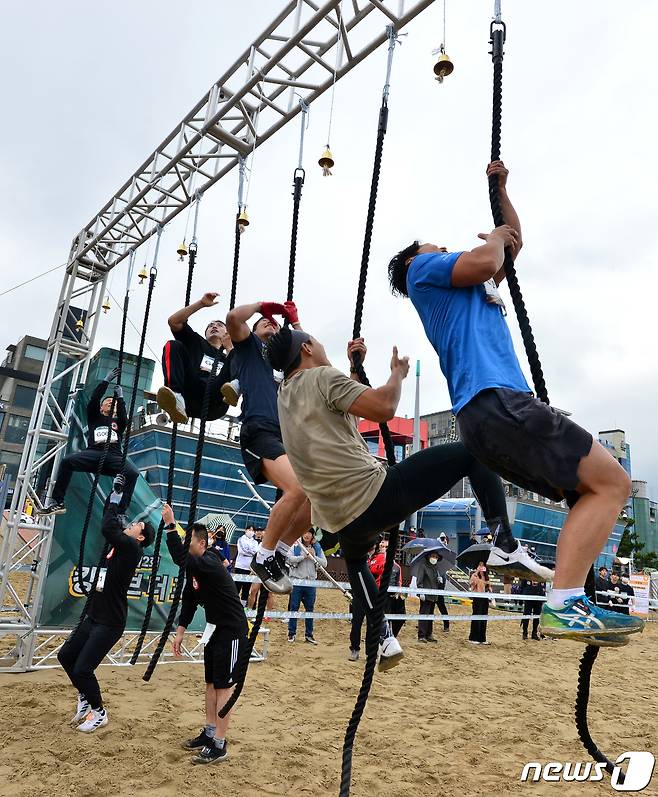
pixel 208 584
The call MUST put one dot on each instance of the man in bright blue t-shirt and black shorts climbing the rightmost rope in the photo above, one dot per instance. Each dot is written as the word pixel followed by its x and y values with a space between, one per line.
pixel 505 427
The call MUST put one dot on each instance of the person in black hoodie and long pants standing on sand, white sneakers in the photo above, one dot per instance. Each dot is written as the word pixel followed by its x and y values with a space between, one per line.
pixel 107 611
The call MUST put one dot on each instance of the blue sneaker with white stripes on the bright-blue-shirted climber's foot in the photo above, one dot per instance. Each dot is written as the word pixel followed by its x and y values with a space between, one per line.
pixel 582 620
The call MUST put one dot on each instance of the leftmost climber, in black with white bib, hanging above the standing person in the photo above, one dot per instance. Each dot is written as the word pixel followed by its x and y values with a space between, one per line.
pixel 99 425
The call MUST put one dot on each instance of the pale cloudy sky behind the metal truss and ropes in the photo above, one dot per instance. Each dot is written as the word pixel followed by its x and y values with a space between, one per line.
pixel 92 89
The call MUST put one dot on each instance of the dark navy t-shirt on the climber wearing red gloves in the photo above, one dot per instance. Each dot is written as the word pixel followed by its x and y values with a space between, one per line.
pixel 259 388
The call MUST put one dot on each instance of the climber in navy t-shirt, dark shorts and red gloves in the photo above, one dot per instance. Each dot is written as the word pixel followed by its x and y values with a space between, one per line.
pixel 260 437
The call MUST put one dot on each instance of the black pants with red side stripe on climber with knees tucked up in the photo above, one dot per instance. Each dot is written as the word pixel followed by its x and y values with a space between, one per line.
pixel 184 377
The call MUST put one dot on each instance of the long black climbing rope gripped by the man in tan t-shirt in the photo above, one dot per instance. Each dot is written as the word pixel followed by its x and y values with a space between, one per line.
pixel 373 630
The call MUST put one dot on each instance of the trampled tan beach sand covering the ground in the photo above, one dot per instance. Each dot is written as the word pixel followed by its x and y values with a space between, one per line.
pixel 452 719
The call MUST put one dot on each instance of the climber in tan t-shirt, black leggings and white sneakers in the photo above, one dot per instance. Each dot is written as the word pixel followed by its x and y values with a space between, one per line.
pixel 350 491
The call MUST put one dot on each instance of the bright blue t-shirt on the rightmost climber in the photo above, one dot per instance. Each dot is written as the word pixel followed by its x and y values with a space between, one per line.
pixel 469 334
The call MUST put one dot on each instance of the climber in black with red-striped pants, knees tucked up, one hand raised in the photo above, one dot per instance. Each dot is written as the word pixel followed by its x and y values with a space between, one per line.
pixel 187 362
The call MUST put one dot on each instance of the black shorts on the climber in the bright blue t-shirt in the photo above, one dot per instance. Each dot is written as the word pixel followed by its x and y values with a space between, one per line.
pixel 525 441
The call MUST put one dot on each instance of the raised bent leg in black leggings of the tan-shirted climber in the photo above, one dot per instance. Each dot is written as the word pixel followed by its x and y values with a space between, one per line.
pixel 416 482
